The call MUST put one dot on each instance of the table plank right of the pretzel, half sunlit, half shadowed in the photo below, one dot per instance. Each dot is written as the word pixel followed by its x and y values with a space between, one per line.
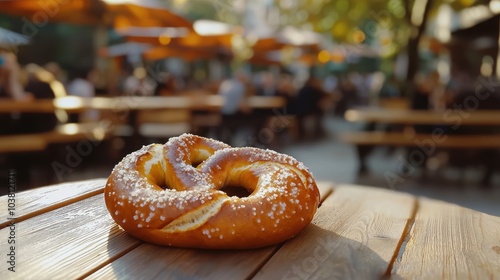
pixel 355 235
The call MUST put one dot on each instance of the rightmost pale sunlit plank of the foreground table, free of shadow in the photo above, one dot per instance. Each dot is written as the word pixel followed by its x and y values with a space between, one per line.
pixel 451 242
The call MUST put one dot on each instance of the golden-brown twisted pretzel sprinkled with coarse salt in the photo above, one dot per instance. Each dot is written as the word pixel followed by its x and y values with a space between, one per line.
pixel 173 195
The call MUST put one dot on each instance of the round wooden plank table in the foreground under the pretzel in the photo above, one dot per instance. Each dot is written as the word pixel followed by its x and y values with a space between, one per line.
pixel 65 232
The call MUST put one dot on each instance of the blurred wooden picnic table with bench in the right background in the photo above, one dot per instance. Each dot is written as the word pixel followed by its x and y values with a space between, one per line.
pixel 453 119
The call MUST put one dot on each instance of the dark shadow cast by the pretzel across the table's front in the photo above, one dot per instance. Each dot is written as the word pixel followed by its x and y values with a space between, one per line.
pixel 315 254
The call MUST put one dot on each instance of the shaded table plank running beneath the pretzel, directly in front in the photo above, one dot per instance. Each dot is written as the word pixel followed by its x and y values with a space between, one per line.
pixel 154 262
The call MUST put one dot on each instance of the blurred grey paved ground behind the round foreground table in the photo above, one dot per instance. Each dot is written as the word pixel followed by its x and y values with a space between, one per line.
pixel 334 161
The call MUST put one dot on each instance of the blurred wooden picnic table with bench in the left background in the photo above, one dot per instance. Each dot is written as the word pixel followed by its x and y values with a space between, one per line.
pixel 124 108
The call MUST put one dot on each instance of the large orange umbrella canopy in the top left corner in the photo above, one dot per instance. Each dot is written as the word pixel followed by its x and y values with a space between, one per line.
pixel 116 13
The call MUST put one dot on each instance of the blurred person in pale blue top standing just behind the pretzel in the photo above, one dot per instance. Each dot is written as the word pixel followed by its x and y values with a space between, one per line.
pixel 234 108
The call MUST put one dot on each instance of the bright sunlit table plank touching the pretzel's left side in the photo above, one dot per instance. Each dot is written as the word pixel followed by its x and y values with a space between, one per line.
pixel 66 243
